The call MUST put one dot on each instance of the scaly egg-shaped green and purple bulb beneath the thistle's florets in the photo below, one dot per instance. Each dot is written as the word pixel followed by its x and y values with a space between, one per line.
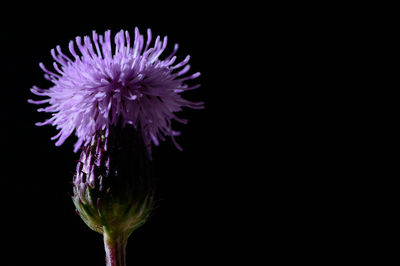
pixel 113 184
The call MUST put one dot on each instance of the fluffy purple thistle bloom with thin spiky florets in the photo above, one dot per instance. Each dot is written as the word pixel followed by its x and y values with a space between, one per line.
pixel 107 84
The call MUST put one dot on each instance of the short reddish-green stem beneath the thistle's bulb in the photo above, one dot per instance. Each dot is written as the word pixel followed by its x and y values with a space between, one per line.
pixel 115 250
